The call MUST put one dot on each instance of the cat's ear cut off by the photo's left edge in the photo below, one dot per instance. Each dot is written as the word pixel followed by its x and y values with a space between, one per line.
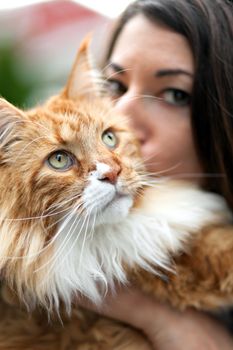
pixel 10 116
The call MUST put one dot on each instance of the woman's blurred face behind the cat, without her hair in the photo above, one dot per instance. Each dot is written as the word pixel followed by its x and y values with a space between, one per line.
pixel 151 77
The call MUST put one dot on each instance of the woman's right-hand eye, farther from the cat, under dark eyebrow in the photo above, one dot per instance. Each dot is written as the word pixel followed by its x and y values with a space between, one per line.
pixel 176 97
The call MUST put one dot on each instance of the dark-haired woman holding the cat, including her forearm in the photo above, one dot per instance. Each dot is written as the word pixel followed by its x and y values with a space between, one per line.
pixel 169 65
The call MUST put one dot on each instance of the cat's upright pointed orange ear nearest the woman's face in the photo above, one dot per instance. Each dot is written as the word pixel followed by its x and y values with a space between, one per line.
pixel 84 80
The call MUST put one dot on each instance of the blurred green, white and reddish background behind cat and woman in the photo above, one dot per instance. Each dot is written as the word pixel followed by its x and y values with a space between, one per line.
pixel 39 41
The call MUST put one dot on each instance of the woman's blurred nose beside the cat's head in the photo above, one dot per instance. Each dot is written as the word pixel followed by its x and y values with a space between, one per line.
pixel 132 106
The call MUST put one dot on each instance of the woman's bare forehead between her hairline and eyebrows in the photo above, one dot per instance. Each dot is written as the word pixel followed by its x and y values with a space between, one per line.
pixel 148 43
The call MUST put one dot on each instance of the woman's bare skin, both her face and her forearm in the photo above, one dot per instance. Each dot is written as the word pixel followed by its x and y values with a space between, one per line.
pixel 151 76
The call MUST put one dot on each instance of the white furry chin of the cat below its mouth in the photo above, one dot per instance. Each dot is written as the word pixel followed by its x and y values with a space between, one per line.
pixel 115 211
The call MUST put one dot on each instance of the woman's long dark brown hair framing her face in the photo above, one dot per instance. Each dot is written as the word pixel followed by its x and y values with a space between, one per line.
pixel 208 27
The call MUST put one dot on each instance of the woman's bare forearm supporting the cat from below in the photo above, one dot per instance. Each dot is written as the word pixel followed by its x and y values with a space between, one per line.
pixel 166 328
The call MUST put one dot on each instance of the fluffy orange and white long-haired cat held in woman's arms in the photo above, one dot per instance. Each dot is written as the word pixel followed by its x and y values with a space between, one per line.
pixel 78 213
